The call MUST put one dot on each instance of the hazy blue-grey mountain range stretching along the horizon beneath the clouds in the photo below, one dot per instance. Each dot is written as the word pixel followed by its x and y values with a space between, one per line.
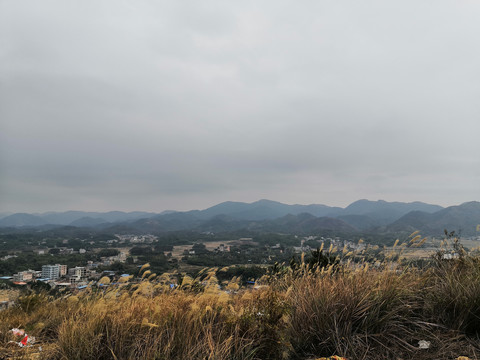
pixel 266 215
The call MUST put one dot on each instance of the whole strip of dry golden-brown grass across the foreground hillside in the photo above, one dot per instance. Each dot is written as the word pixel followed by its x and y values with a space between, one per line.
pixel 312 309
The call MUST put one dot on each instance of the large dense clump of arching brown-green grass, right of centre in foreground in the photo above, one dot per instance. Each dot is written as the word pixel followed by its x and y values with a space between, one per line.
pixel 355 312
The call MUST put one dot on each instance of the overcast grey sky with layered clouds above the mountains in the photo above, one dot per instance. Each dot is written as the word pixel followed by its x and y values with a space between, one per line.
pixel 154 105
